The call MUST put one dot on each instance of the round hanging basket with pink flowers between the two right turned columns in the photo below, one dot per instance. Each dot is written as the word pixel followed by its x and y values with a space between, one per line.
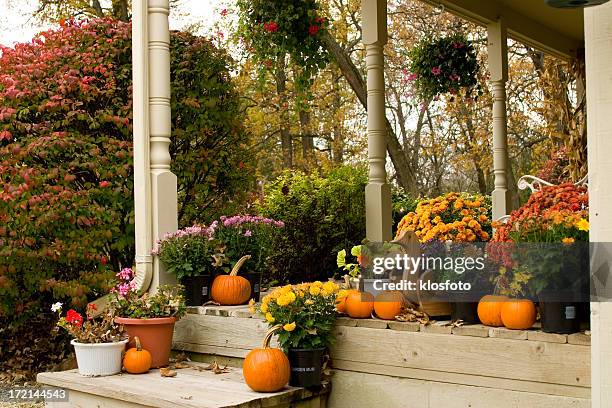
pixel 442 65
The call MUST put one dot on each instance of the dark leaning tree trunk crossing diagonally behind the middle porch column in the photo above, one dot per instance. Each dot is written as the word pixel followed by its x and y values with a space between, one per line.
pixel 399 158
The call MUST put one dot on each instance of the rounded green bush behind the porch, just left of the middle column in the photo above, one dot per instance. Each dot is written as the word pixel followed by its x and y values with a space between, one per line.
pixel 322 215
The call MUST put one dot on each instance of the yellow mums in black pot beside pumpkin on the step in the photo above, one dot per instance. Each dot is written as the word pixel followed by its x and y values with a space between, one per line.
pixel 307 313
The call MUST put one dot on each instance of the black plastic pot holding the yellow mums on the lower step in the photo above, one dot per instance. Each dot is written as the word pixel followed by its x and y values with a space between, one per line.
pixel 306 367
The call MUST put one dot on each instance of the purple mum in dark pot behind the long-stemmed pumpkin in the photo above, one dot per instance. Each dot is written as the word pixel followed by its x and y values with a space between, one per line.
pixel 240 235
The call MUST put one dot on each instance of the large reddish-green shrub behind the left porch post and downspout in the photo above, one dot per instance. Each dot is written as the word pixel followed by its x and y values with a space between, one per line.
pixel 66 198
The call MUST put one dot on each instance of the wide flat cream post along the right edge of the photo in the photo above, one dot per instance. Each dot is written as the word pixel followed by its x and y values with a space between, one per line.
pixel 598 40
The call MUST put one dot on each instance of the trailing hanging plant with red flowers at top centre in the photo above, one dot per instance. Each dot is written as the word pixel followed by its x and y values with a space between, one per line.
pixel 276 28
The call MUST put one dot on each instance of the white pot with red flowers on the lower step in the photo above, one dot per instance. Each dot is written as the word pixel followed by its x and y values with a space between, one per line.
pixel 98 342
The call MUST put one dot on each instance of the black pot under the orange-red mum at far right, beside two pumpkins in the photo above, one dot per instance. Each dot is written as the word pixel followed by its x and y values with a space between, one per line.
pixel 559 312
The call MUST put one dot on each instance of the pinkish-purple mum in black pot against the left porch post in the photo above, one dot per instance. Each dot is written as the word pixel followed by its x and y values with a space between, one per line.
pixel 189 254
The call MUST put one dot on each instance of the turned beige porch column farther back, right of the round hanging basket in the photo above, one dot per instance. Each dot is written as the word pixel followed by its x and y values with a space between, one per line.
pixel 498 69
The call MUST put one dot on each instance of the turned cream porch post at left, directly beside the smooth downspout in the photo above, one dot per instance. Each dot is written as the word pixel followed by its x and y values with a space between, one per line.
pixel 163 182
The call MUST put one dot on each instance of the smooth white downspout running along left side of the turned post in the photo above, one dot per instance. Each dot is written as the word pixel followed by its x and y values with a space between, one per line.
pixel 142 180
